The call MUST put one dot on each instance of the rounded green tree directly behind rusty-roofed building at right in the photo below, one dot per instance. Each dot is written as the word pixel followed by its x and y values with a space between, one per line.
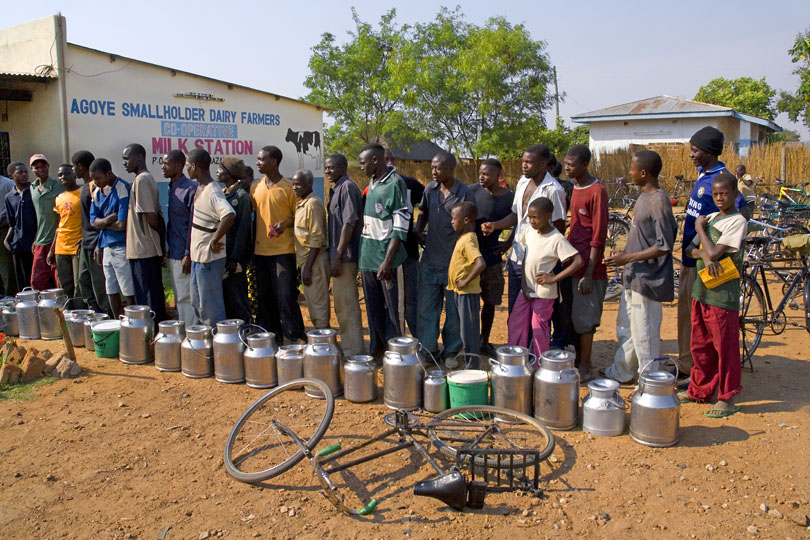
pixel 745 95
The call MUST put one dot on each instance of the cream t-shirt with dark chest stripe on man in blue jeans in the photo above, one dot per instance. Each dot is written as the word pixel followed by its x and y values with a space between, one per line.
pixel 210 206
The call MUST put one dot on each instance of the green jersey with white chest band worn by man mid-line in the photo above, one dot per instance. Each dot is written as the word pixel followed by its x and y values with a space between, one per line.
pixel 386 215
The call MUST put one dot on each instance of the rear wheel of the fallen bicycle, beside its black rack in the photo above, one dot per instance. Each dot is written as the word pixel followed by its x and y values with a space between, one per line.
pixel 484 426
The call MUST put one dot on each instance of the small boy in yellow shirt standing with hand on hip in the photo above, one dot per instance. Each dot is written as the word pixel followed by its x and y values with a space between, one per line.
pixel 466 265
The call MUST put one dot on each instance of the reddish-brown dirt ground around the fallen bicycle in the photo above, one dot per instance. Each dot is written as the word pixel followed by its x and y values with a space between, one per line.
pixel 125 451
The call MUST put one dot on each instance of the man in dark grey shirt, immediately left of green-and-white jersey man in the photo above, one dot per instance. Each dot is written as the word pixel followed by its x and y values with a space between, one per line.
pixel 345 213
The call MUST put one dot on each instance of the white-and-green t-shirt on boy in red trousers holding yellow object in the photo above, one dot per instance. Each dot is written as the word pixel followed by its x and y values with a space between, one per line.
pixel 729 231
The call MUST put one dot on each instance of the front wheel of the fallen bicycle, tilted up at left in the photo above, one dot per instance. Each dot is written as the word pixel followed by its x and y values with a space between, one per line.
pixel 257 450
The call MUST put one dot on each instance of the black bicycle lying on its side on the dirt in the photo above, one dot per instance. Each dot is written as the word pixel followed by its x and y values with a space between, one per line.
pixel 502 448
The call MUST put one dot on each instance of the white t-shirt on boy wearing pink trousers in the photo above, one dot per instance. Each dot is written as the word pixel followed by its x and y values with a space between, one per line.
pixel 543 252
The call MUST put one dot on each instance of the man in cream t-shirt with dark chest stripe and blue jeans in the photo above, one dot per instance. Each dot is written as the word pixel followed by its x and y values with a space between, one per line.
pixel 212 217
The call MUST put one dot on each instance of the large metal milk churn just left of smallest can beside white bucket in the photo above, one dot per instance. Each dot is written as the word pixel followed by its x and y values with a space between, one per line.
pixel 403 376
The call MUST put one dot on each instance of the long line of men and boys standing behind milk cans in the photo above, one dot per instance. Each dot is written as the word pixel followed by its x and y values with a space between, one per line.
pixel 237 247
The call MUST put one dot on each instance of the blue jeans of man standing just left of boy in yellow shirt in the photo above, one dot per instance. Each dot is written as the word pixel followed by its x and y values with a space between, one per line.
pixel 432 295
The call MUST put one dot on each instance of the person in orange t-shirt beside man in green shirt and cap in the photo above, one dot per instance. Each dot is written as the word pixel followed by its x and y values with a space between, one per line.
pixel 64 252
